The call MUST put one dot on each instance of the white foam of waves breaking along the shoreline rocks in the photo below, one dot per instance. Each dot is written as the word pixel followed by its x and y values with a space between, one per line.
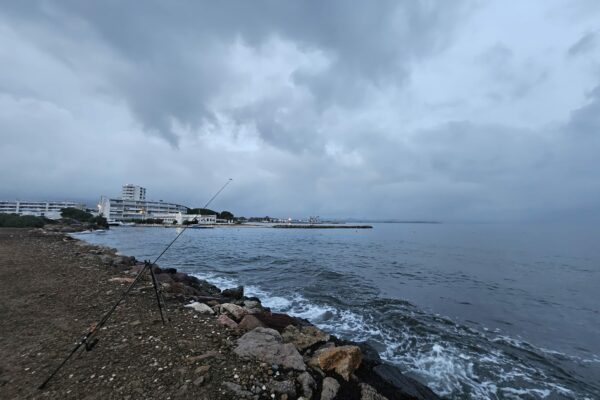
pixel 447 369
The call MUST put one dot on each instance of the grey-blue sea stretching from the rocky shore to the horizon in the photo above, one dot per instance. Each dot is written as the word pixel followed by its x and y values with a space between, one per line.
pixel 474 311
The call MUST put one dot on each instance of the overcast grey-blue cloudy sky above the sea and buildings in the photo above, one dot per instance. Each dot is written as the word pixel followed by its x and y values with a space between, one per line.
pixel 445 110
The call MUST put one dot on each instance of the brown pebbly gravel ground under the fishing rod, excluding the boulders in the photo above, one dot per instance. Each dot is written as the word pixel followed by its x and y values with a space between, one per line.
pixel 52 290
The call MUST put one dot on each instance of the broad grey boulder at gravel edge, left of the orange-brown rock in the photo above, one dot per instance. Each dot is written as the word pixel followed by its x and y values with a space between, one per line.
pixel 267 345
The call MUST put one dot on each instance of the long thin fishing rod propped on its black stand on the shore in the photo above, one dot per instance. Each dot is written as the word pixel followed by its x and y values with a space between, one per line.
pixel 87 338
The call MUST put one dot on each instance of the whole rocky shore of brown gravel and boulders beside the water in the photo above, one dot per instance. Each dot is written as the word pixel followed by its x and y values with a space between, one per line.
pixel 219 344
